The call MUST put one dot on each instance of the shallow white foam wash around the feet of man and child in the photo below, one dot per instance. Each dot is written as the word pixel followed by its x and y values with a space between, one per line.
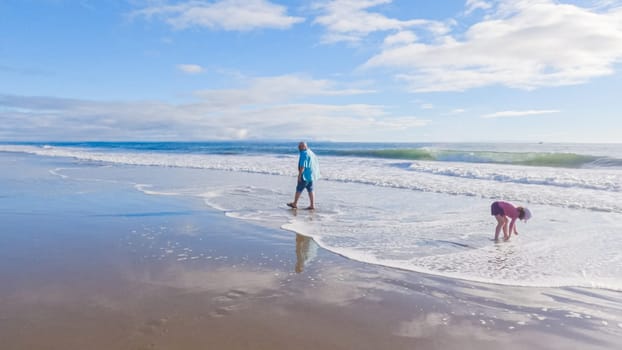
pixel 445 235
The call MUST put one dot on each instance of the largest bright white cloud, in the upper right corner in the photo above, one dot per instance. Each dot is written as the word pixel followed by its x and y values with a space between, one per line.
pixel 521 44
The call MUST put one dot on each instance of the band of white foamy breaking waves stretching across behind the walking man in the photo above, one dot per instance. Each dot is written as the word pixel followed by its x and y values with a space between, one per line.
pixel 594 189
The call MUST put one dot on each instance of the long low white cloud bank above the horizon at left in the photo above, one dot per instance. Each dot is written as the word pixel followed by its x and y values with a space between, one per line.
pixel 265 108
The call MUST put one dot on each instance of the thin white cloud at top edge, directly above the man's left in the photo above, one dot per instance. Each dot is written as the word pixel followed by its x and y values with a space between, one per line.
pixel 232 15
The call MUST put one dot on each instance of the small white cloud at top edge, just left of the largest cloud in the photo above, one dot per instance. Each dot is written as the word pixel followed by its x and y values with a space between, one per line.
pixel 349 20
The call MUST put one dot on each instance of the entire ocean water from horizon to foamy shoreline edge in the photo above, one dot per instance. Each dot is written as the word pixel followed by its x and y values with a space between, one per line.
pixel 419 207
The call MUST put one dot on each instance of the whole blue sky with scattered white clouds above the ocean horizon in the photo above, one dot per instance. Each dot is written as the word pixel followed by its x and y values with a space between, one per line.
pixel 340 70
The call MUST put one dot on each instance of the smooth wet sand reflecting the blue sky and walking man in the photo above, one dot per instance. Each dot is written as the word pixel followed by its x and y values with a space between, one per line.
pixel 98 265
